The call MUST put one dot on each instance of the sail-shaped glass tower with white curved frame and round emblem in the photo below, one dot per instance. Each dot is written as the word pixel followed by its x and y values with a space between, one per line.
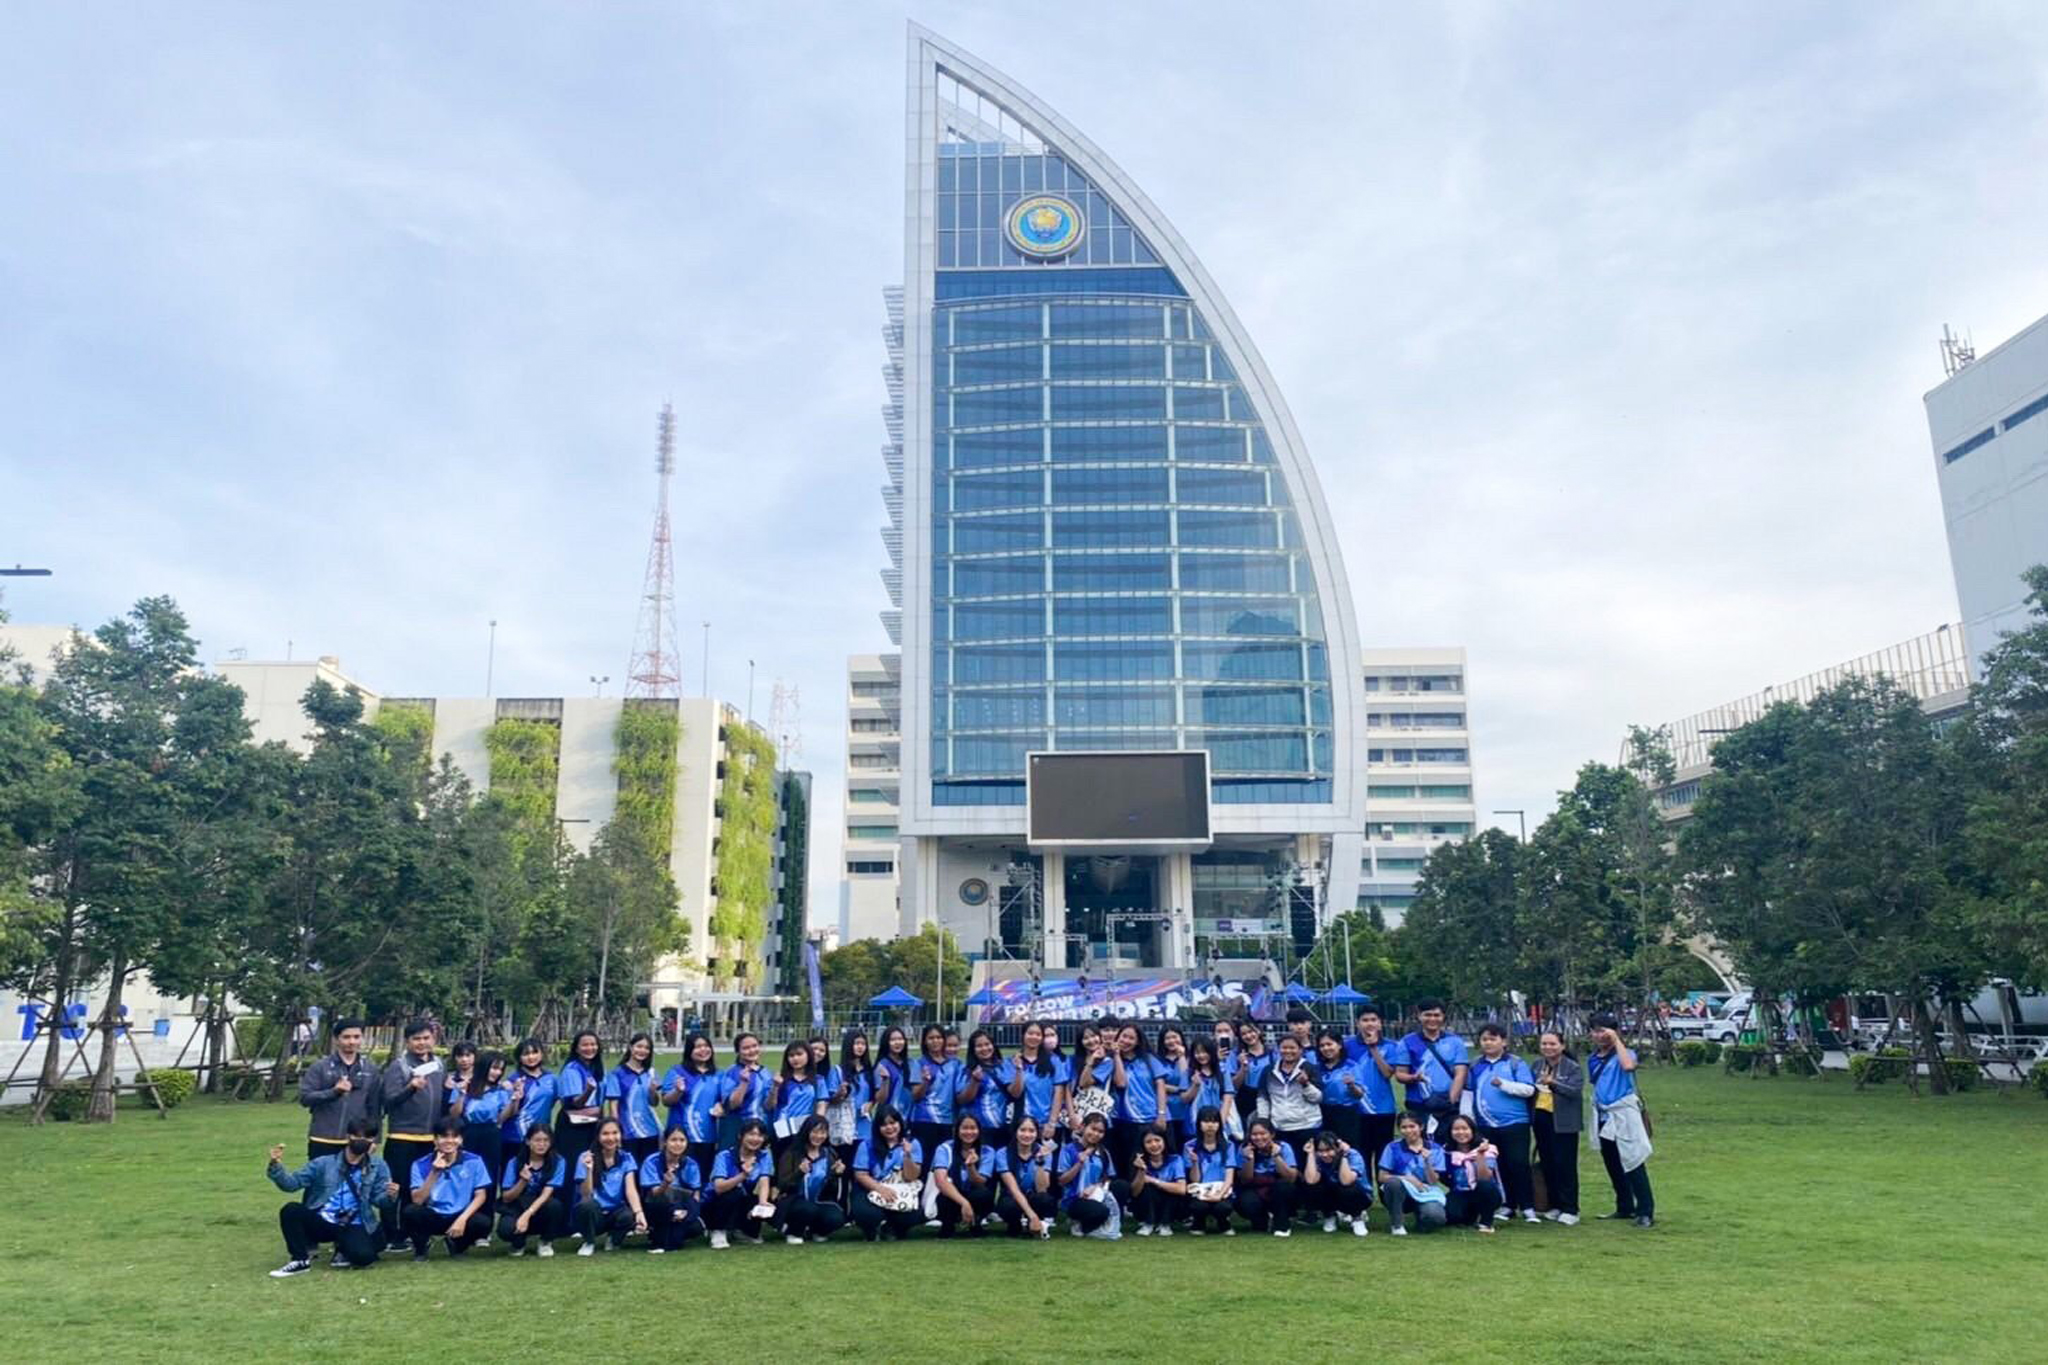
pixel 1105 537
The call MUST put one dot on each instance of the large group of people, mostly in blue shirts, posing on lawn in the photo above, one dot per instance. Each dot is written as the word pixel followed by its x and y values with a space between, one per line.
pixel 1107 1127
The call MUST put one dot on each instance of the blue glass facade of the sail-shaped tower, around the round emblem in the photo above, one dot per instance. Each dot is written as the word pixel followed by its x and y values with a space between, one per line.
pixel 1117 562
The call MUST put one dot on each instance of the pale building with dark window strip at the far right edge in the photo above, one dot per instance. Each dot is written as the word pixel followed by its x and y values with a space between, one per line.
pixel 1990 425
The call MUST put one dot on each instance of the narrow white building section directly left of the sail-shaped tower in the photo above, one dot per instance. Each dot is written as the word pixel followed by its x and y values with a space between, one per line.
pixel 873 797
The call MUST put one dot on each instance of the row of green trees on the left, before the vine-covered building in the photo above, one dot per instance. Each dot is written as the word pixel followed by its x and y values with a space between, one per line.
pixel 144 832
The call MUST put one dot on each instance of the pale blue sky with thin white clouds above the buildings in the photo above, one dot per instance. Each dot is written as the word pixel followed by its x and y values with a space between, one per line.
pixel 1607 324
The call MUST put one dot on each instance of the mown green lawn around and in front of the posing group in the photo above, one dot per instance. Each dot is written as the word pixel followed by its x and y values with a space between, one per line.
pixel 1799 1221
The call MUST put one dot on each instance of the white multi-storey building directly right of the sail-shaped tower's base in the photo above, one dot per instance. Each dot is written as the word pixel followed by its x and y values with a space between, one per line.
pixel 1418 770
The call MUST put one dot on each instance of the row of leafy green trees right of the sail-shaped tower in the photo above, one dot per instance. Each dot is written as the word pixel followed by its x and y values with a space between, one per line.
pixel 1844 846
